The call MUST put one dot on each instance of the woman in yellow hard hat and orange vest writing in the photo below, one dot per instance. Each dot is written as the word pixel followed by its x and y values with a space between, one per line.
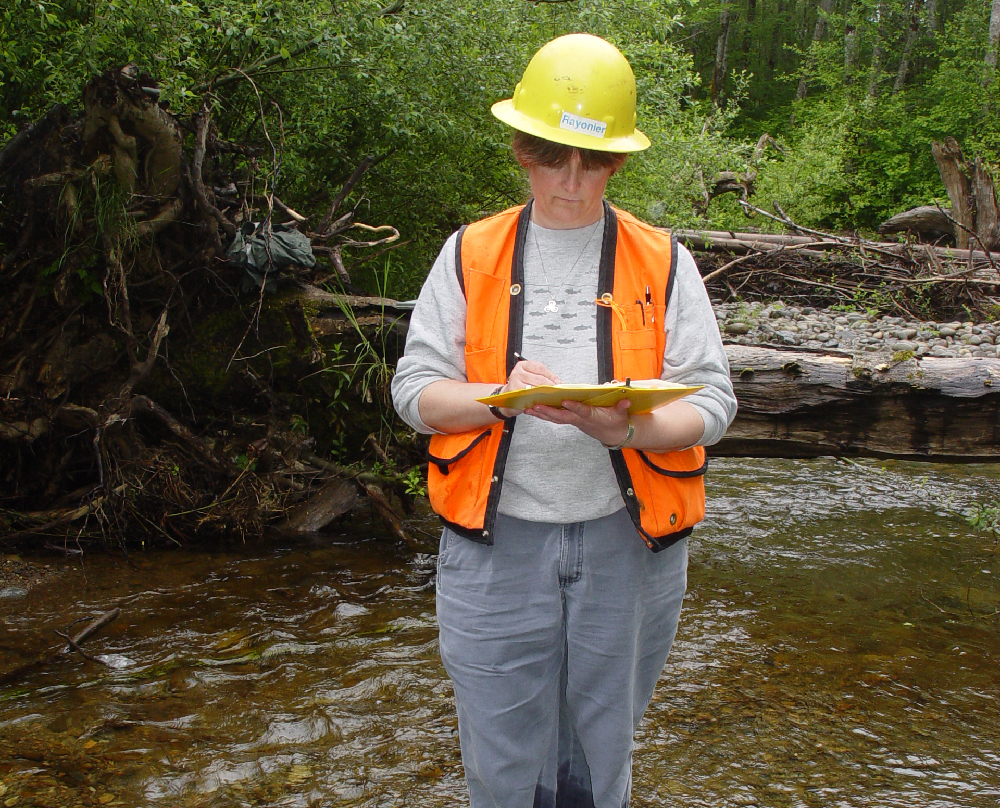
pixel 555 616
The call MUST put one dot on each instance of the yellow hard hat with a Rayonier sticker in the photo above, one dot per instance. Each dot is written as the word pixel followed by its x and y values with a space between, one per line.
pixel 577 90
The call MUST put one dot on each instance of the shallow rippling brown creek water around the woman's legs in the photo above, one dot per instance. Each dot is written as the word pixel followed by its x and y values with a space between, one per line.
pixel 839 647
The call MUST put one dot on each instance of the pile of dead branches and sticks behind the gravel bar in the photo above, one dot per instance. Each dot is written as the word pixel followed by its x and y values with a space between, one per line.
pixel 810 267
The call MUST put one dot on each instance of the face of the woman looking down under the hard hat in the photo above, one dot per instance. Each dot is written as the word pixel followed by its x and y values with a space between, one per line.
pixel 568 196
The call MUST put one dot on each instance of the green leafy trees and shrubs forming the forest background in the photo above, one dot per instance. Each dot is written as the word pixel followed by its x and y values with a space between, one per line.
pixel 852 91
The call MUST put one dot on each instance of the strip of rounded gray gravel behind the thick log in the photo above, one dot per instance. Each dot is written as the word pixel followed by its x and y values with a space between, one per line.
pixel 775 324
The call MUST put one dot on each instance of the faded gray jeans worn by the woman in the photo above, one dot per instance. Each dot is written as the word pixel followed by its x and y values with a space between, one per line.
pixel 554 638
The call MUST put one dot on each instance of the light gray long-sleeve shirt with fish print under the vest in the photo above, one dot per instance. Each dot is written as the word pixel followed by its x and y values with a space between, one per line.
pixel 555 473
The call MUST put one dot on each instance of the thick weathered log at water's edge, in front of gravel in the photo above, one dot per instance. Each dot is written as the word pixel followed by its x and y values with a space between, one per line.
pixel 795 403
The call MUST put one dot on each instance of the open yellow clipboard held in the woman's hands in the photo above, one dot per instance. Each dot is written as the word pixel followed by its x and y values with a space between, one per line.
pixel 645 396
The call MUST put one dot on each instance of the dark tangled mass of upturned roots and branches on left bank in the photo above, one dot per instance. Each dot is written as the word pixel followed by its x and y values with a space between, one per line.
pixel 113 230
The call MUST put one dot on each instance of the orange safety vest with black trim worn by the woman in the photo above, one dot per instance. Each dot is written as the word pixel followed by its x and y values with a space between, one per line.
pixel 664 492
